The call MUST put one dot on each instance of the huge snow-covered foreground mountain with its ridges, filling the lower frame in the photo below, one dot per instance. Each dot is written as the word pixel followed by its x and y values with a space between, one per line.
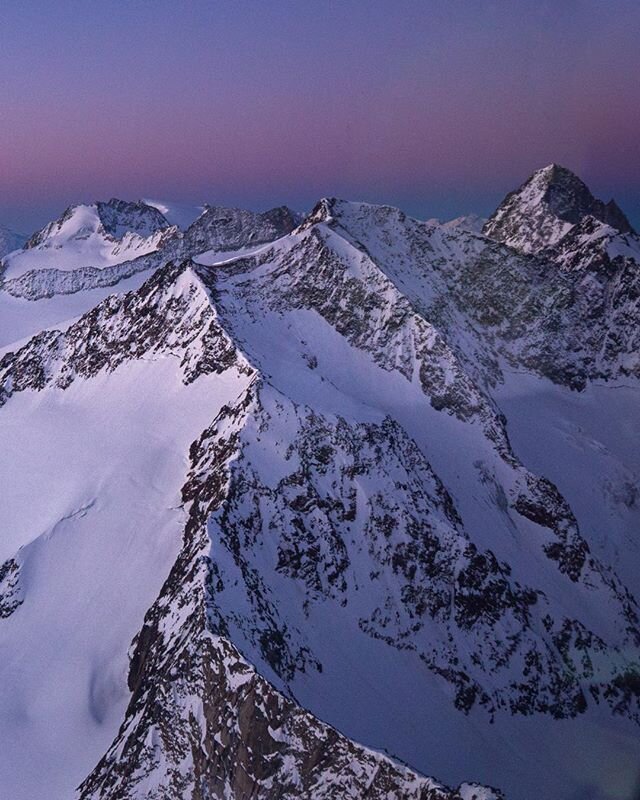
pixel 321 497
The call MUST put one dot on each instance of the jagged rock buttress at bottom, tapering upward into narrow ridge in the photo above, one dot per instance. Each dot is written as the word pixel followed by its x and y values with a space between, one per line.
pixel 202 723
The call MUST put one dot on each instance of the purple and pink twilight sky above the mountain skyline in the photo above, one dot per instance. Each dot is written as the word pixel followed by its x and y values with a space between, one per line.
pixel 438 106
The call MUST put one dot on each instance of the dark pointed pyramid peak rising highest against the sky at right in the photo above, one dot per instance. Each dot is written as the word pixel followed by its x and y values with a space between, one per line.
pixel 546 207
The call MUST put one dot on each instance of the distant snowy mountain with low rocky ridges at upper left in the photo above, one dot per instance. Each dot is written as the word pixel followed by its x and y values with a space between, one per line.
pixel 69 257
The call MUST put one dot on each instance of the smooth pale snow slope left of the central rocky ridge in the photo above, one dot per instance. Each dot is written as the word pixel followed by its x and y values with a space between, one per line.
pixel 93 524
